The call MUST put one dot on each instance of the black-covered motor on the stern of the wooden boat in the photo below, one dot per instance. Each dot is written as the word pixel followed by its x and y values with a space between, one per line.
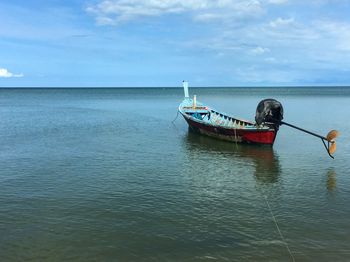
pixel 269 111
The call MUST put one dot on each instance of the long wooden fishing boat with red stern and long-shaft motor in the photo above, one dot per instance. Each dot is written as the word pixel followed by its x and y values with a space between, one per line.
pixel 208 121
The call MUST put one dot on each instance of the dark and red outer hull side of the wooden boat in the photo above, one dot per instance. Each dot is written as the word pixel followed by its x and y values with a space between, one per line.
pixel 254 136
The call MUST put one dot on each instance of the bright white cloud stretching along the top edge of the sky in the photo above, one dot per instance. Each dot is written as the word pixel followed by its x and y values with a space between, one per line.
pixel 116 11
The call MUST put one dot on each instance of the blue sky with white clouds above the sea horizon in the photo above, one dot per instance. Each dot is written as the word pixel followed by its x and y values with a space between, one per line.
pixel 159 43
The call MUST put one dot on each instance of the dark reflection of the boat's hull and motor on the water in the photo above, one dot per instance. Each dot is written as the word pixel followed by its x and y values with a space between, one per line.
pixel 266 165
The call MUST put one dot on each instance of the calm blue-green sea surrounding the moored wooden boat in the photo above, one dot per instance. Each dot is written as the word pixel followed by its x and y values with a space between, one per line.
pixel 116 175
